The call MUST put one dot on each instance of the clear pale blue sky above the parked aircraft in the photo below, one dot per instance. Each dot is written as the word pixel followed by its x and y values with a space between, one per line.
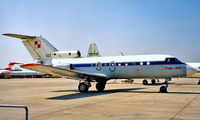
pixel 129 26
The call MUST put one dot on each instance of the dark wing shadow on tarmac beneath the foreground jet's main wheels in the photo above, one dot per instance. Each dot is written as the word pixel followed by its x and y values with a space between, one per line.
pixel 88 94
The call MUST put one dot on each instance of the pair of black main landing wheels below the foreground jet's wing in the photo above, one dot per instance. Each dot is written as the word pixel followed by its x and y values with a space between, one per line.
pixel 84 86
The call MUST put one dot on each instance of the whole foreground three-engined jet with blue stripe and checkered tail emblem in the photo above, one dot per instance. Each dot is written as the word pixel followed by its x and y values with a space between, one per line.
pixel 70 64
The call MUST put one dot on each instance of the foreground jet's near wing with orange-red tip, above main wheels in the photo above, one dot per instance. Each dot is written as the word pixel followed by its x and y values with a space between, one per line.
pixel 63 72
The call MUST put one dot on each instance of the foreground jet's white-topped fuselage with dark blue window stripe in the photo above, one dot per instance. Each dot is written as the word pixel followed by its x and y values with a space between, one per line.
pixel 138 66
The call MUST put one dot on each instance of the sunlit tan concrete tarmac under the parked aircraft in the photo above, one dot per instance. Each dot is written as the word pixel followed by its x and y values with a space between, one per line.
pixel 59 99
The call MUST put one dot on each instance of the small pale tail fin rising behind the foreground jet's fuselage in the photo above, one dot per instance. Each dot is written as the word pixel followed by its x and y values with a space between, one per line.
pixel 93 51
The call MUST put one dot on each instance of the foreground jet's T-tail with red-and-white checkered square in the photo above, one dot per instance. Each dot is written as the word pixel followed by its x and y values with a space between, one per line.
pixel 38 47
